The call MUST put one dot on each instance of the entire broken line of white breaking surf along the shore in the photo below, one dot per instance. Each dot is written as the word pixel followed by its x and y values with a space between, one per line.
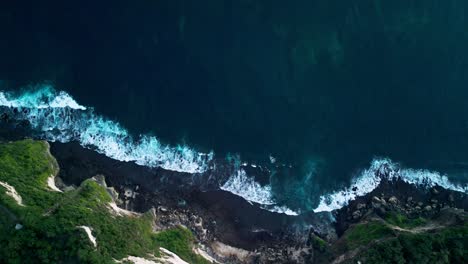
pixel 56 116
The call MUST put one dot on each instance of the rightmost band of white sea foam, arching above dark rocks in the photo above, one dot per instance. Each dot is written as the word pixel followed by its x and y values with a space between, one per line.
pixel 370 178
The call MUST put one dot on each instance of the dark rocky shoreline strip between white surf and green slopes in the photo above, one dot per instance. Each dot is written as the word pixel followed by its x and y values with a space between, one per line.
pixel 232 230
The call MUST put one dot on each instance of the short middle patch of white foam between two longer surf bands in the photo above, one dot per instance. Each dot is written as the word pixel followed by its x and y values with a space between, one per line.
pixel 246 187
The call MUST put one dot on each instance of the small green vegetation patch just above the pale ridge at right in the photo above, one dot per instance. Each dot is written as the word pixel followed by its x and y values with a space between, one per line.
pixel 362 234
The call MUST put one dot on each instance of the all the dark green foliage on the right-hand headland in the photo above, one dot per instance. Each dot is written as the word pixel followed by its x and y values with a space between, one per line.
pixel 380 244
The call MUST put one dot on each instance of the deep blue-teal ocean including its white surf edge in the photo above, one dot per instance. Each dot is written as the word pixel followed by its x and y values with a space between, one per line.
pixel 314 95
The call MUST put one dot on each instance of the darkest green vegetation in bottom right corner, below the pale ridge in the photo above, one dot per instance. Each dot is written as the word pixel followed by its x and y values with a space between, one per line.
pixel 449 245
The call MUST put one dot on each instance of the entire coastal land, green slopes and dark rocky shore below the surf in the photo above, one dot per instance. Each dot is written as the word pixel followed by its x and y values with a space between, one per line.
pixel 97 210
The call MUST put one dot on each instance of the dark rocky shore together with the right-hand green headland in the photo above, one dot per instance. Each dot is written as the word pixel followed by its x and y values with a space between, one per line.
pixel 386 225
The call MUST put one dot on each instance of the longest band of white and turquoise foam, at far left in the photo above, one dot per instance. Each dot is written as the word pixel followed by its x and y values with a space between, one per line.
pixel 60 118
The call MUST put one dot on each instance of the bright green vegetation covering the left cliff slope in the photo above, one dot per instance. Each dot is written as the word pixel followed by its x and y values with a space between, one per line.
pixel 50 220
